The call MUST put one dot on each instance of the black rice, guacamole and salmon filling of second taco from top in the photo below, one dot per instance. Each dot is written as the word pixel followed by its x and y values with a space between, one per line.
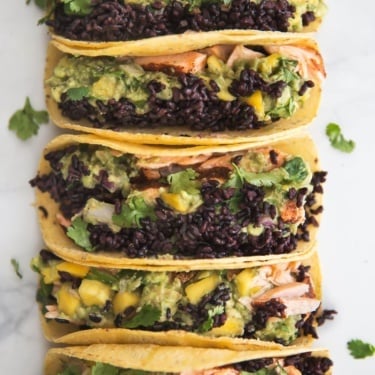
pixel 218 88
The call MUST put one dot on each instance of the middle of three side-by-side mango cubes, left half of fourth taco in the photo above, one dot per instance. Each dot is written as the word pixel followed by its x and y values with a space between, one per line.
pixel 93 292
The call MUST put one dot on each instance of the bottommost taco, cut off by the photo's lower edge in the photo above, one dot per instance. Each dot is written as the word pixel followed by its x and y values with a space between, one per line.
pixel 153 359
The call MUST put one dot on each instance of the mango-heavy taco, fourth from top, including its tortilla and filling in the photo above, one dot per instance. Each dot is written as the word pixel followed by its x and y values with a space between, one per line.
pixel 266 306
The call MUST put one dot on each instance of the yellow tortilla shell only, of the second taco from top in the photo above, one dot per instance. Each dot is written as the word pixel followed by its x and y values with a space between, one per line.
pixel 178 135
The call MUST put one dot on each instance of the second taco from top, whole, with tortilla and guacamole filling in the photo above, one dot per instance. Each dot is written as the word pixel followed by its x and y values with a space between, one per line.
pixel 243 88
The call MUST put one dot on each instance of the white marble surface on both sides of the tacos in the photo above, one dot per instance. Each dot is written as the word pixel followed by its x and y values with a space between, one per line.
pixel 347 244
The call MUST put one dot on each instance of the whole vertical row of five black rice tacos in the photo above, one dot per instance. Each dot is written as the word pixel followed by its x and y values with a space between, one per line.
pixel 181 225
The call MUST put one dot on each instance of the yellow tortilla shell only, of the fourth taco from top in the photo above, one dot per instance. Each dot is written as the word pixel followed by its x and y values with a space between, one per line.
pixel 69 334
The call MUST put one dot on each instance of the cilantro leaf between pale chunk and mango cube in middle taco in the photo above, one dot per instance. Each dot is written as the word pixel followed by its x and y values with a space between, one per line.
pixel 133 211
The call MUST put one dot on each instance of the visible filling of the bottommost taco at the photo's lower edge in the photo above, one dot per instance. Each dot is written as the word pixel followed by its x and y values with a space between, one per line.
pixel 298 364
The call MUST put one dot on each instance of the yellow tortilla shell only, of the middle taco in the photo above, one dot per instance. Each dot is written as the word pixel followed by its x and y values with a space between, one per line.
pixel 56 240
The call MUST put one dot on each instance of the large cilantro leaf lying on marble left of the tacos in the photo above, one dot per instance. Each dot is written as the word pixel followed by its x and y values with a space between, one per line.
pixel 25 122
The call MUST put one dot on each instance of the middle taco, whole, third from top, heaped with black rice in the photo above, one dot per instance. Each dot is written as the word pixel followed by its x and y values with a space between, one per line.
pixel 126 205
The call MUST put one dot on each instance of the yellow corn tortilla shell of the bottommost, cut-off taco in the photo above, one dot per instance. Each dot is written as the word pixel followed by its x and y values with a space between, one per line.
pixel 156 358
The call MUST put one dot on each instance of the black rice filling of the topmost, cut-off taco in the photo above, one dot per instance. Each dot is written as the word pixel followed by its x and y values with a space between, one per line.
pixel 120 20
